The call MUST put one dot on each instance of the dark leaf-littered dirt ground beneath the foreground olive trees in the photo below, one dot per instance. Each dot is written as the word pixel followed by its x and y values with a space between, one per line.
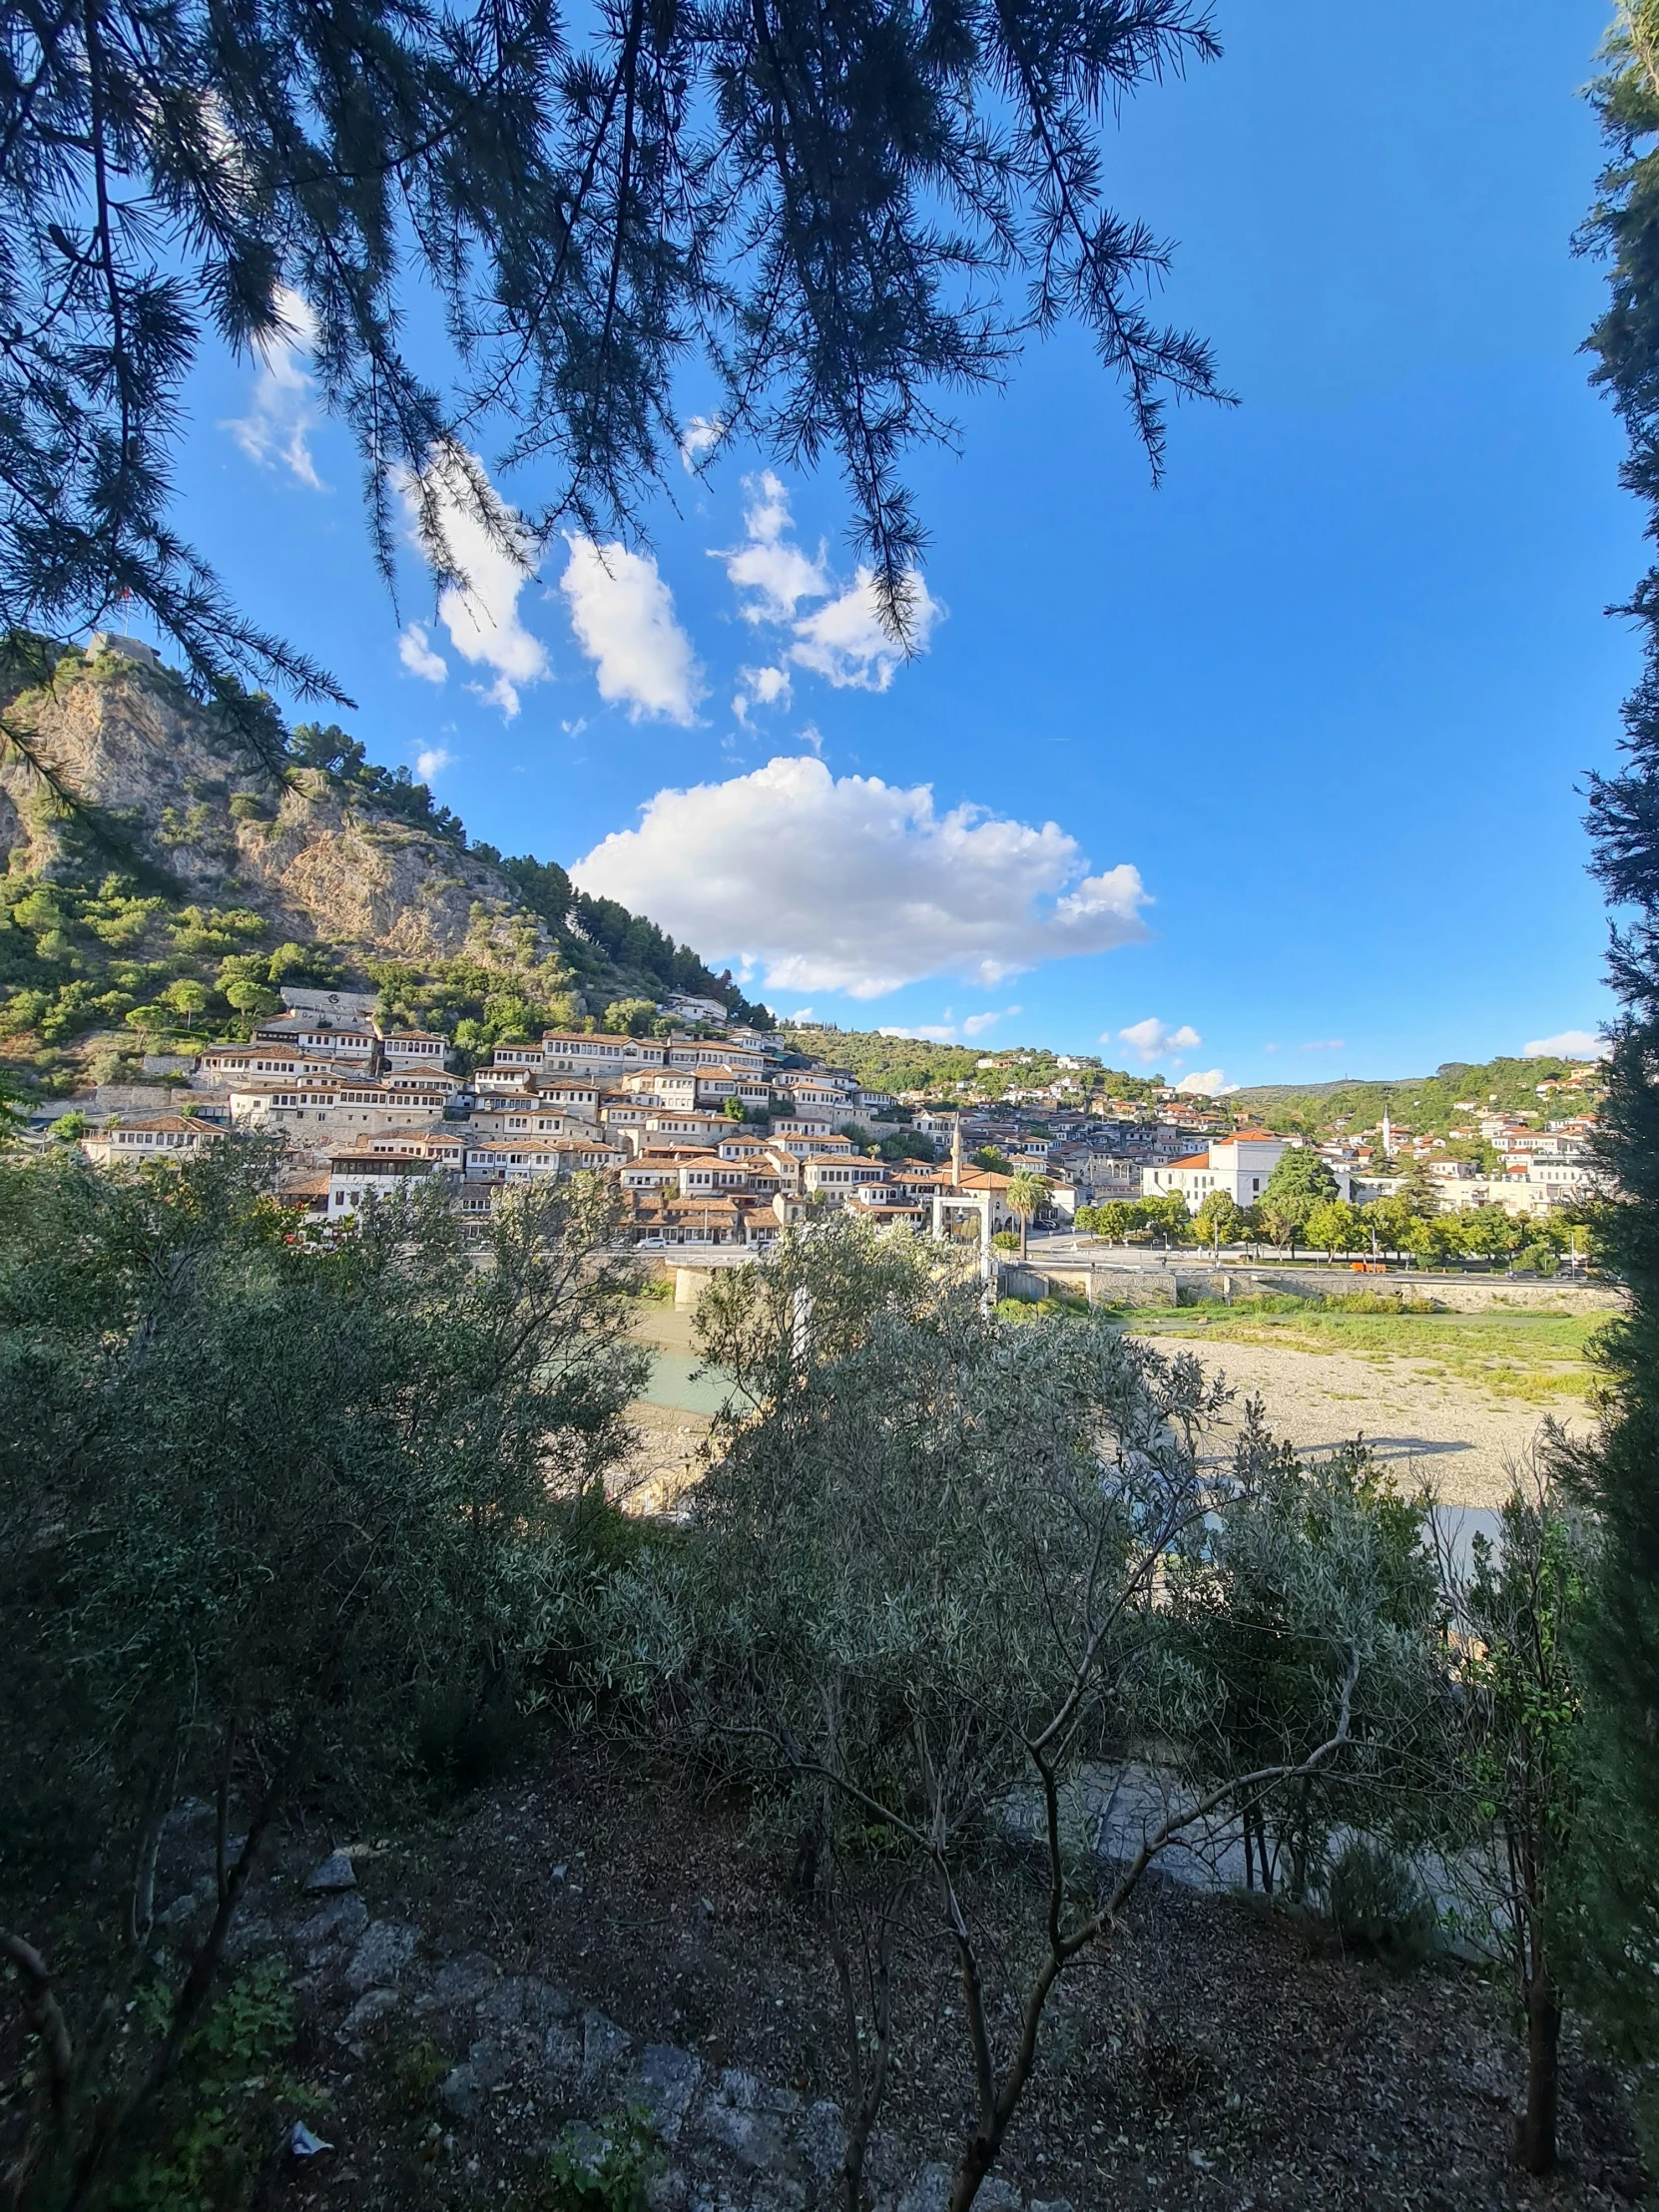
pixel 1215 2056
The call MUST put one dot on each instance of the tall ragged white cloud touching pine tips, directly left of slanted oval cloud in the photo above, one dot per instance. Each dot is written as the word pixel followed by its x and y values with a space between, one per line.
pixel 459 521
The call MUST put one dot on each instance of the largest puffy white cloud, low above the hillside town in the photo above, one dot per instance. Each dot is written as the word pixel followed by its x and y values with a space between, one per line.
pixel 859 886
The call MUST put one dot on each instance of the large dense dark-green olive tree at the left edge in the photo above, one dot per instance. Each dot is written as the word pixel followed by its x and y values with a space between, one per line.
pixel 255 1496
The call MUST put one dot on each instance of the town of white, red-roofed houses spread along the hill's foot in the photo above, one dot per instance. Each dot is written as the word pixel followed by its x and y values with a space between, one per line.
pixel 722 1136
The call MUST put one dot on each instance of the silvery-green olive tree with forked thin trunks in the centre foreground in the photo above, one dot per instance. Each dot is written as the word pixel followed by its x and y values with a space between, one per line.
pixel 935 1563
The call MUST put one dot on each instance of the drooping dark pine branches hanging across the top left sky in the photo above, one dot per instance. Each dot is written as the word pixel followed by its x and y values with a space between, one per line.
pixel 833 211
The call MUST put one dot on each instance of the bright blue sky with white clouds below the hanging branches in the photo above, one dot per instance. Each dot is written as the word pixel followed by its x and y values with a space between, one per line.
pixel 1273 766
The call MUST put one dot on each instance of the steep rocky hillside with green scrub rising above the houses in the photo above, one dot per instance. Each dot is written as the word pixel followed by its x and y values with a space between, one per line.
pixel 169 866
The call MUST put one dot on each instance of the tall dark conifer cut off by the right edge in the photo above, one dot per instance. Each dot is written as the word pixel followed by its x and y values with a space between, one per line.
pixel 1623 1472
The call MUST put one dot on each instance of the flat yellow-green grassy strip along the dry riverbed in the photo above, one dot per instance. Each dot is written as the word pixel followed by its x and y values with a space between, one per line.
pixel 1538 1357
